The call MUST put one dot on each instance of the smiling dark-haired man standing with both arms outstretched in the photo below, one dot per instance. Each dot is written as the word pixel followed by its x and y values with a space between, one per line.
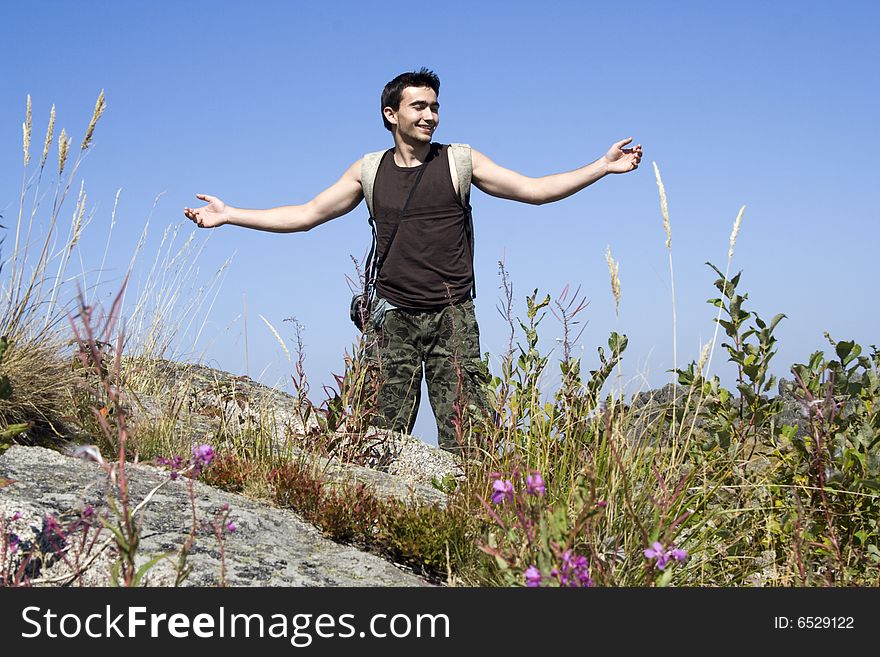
pixel 425 277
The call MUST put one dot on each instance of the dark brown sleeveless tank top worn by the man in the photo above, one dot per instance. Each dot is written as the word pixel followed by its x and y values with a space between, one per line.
pixel 429 262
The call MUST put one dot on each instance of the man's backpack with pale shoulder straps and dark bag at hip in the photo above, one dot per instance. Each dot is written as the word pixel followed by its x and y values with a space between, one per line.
pixel 461 154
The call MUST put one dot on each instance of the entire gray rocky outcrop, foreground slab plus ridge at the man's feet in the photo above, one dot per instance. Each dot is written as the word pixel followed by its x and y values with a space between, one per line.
pixel 269 547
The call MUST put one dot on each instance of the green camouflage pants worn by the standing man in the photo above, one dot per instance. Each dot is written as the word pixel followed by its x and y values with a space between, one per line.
pixel 446 343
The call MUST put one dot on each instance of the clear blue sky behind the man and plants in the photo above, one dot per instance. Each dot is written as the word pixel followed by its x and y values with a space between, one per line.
pixel 769 105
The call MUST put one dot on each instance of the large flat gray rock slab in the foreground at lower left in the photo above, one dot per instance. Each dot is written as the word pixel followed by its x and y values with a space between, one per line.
pixel 270 546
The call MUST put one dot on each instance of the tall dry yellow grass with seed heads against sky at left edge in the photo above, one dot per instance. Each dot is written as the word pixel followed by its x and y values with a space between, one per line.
pixel 39 288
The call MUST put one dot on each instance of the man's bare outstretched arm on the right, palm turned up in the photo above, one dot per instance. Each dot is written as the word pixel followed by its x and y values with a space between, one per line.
pixel 504 183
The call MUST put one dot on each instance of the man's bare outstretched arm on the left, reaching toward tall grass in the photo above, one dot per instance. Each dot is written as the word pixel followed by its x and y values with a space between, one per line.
pixel 338 199
